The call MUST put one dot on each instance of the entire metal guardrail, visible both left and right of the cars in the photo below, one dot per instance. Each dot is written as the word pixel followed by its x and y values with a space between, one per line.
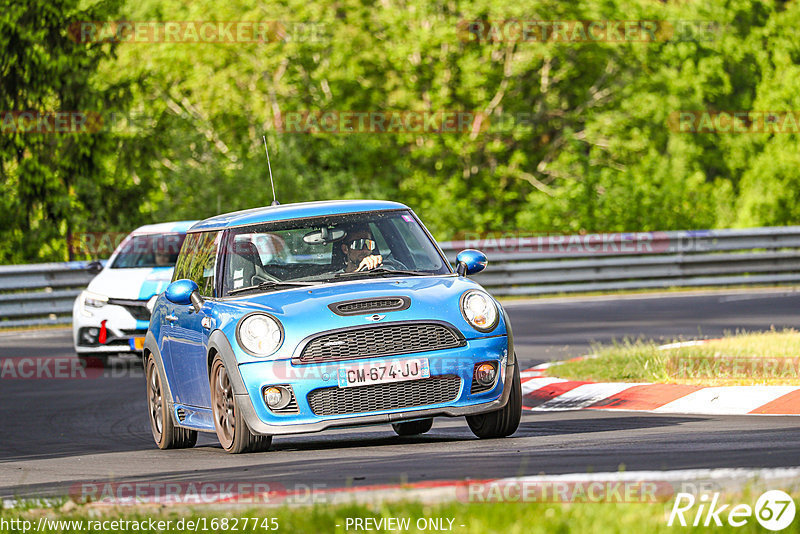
pixel 518 265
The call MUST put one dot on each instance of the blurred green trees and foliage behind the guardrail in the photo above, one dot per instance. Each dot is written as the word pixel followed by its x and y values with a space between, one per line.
pixel 578 137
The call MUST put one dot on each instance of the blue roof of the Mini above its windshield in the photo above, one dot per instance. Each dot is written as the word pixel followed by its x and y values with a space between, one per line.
pixel 298 210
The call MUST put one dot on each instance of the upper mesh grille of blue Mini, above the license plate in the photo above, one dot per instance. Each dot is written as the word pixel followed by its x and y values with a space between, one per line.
pixel 372 341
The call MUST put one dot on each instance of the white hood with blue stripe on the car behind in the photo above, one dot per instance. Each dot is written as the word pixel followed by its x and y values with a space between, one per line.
pixel 139 284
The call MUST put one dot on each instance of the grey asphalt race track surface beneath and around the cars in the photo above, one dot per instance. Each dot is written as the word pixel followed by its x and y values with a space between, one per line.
pixel 57 434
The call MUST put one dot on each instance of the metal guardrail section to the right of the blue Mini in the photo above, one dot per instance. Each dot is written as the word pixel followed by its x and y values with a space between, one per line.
pixel 609 262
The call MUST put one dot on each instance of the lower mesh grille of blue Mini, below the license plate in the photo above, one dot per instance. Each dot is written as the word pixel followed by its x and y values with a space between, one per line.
pixel 391 396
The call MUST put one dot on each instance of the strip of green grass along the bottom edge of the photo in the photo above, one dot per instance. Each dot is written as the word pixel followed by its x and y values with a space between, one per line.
pixel 477 518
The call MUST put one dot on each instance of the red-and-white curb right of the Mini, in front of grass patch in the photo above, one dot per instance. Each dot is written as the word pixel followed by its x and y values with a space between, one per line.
pixel 543 393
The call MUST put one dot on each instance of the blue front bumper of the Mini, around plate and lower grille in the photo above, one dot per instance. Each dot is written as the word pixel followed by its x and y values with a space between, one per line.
pixel 309 377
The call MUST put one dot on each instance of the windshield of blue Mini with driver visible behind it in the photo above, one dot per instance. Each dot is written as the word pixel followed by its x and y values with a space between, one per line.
pixel 322 249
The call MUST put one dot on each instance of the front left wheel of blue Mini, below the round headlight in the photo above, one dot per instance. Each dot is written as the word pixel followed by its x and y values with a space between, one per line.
pixel 232 430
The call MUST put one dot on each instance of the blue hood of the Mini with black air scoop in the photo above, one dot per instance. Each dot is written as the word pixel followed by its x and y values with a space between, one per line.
pixel 304 312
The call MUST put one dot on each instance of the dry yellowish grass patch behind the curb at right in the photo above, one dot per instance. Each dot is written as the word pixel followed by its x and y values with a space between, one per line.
pixel 765 358
